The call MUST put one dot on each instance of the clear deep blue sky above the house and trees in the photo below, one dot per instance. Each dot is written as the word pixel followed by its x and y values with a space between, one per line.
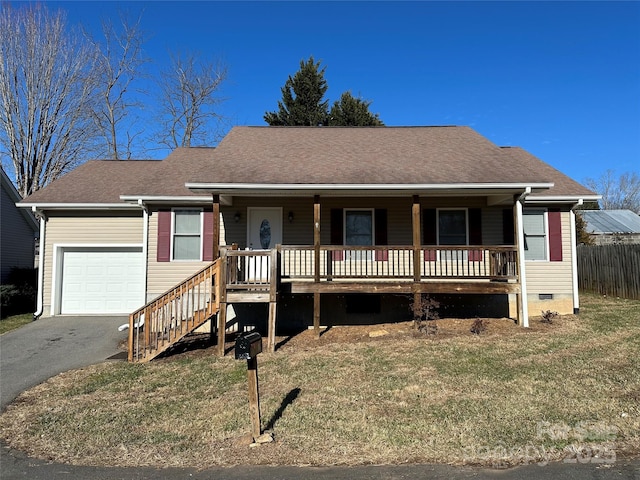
pixel 561 80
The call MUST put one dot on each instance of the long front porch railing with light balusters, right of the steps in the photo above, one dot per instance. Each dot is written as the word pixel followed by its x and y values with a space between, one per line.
pixel 397 262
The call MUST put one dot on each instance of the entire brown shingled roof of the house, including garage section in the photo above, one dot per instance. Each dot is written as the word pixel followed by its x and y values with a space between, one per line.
pixel 314 156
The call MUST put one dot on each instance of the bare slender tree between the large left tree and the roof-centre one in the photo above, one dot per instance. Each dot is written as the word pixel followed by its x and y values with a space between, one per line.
pixel 120 59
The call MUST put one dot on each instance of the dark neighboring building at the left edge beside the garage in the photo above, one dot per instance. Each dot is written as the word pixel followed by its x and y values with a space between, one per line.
pixel 18 229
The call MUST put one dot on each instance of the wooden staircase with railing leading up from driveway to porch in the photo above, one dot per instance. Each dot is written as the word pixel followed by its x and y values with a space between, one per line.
pixel 170 317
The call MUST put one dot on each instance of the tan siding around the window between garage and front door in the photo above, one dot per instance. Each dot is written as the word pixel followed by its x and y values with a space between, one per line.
pixel 162 276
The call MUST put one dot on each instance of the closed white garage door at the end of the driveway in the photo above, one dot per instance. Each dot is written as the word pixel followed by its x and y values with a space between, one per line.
pixel 102 281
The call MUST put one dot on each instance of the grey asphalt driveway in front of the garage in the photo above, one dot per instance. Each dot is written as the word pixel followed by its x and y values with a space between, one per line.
pixel 49 346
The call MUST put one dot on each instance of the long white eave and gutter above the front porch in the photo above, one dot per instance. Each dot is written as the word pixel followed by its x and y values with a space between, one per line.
pixel 389 190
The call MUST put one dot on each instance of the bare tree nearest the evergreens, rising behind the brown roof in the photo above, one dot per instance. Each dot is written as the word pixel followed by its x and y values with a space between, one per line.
pixel 189 95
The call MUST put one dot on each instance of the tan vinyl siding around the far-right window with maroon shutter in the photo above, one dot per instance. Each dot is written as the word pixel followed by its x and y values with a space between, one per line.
pixel 553 277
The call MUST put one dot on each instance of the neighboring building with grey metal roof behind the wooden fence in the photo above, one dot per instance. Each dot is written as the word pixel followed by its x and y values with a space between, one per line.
pixel 610 227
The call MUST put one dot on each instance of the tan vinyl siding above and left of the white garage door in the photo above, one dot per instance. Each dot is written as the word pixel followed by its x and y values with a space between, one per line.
pixel 81 229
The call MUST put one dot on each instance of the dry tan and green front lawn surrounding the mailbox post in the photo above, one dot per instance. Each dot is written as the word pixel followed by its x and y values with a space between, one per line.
pixel 504 397
